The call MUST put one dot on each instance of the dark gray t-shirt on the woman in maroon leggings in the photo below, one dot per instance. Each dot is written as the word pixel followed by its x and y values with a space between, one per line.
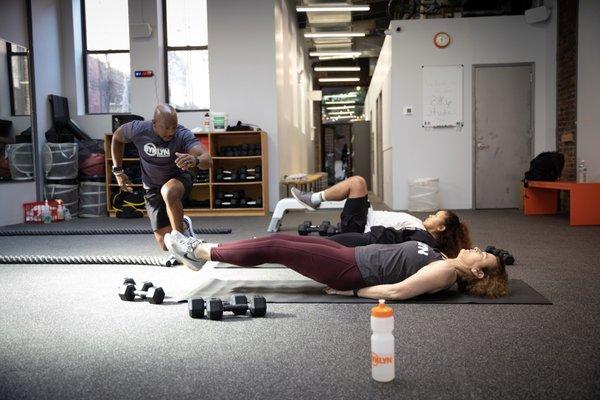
pixel 392 263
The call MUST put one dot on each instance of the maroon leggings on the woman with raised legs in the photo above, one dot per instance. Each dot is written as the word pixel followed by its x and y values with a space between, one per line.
pixel 319 259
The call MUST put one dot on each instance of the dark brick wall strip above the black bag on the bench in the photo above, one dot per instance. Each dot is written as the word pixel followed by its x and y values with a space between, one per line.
pixel 566 86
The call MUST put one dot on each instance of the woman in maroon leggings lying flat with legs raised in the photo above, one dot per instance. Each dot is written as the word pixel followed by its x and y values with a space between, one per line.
pixel 395 272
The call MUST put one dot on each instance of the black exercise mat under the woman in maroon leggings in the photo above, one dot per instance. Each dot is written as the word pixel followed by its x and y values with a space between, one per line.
pixel 305 291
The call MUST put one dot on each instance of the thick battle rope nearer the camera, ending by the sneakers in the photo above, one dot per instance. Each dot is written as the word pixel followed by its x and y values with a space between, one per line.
pixel 161 262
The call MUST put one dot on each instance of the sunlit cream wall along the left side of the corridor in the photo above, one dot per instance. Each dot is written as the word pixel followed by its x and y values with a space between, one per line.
pixel 294 109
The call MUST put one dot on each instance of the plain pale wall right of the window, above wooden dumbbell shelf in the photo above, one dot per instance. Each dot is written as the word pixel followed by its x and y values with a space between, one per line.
pixel 241 37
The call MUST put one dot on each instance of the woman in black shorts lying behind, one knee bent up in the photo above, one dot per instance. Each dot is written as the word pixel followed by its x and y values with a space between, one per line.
pixel 361 226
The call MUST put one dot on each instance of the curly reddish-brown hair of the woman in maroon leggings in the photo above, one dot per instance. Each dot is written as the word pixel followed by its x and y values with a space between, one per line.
pixel 493 284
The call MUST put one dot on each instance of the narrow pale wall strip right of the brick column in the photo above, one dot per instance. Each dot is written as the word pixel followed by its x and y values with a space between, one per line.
pixel 588 88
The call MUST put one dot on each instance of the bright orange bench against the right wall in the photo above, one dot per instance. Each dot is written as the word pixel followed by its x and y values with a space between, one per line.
pixel 542 198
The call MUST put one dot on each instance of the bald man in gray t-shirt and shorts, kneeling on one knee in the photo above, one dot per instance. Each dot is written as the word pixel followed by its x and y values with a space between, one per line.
pixel 167 152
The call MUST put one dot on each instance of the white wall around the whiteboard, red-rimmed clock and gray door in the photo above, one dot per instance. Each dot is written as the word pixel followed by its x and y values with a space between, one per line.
pixel 444 152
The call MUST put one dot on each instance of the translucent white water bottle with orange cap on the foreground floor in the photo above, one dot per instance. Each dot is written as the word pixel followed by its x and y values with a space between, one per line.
pixel 382 343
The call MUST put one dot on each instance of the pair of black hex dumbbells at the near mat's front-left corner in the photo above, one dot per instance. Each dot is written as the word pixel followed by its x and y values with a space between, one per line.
pixel 238 305
